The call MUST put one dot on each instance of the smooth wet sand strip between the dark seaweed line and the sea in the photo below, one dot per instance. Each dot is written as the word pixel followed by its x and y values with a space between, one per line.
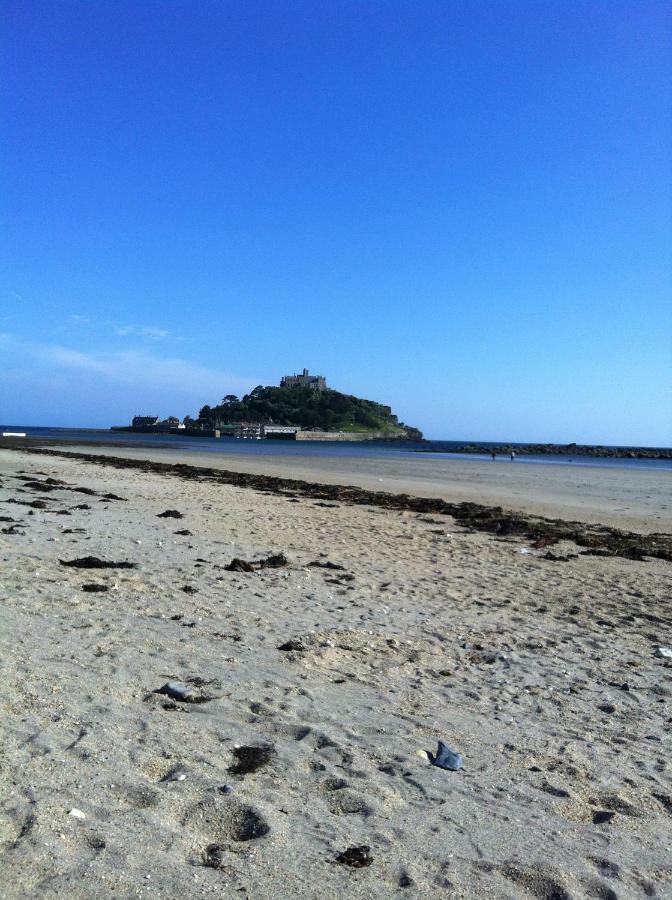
pixel 629 498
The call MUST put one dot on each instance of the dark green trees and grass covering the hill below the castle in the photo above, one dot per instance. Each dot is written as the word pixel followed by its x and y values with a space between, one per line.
pixel 327 410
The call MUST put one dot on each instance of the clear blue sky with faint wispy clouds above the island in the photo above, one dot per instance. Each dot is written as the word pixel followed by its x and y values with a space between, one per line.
pixel 462 209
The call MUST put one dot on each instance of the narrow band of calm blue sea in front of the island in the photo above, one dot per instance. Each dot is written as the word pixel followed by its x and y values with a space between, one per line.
pixel 323 448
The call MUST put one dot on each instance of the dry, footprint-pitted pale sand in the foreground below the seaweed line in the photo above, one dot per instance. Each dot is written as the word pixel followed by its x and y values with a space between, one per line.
pixel 541 673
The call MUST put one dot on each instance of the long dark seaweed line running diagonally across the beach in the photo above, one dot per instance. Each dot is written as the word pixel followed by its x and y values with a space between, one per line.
pixel 491 519
